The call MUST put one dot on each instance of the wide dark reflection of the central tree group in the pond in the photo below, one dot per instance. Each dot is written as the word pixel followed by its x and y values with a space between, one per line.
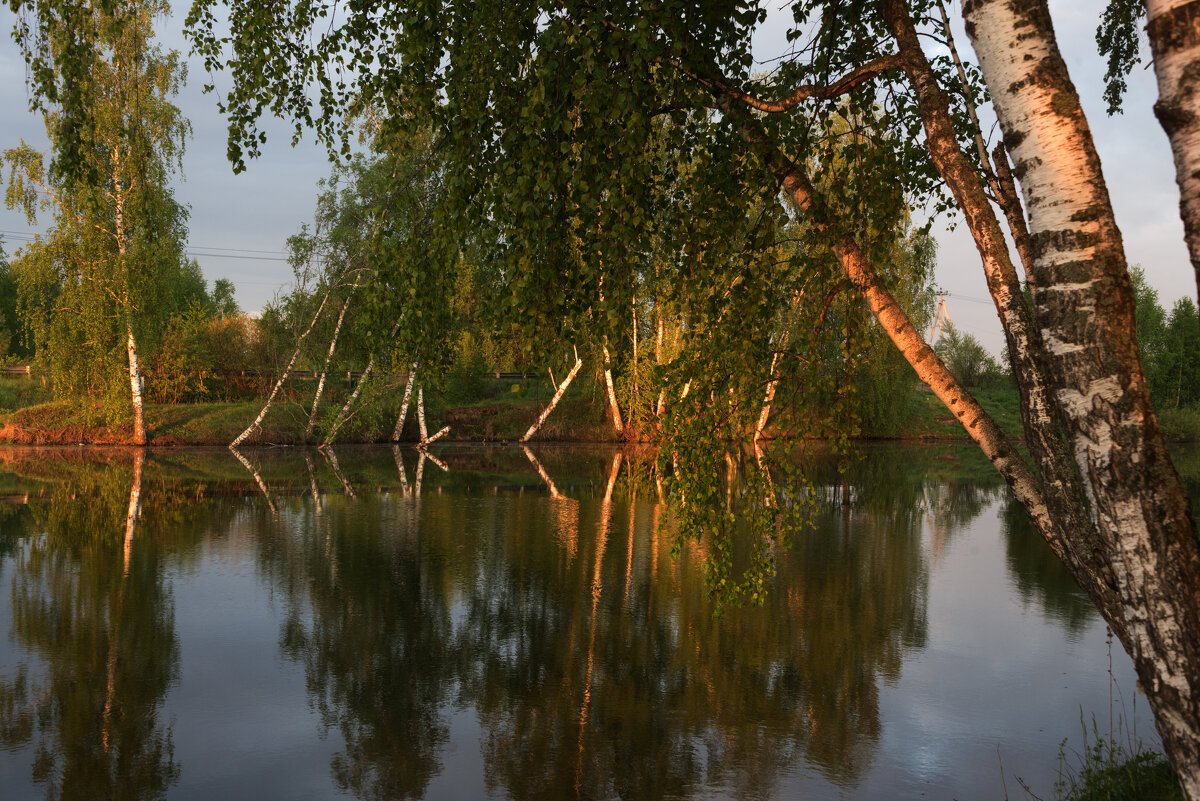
pixel 593 661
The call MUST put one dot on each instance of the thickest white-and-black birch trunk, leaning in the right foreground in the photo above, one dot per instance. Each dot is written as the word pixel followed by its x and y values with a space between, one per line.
pixel 1085 308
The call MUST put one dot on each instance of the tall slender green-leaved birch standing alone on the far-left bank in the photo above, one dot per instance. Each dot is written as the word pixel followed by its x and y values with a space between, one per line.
pixel 100 285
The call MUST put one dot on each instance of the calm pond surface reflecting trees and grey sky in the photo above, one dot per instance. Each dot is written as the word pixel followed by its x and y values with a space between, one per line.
pixel 322 631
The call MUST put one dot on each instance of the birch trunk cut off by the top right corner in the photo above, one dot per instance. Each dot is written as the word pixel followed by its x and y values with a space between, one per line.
pixel 1175 44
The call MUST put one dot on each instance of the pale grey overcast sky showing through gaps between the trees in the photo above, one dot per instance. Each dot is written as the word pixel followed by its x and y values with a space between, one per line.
pixel 239 224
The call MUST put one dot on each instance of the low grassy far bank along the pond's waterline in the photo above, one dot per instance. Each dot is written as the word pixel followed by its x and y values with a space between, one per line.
pixel 27 418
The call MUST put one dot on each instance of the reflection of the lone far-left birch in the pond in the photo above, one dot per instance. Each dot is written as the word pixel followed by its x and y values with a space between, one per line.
pixel 89 600
